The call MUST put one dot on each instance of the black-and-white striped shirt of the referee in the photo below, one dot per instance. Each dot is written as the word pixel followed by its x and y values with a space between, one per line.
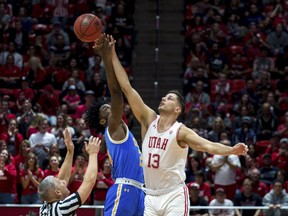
pixel 64 207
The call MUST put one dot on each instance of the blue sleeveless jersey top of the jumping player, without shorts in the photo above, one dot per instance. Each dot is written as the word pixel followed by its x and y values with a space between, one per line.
pixel 125 157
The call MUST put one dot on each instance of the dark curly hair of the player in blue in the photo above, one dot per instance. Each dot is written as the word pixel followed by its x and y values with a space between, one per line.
pixel 91 116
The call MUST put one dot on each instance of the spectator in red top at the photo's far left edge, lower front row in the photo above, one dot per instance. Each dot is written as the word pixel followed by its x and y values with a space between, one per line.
pixel 7 179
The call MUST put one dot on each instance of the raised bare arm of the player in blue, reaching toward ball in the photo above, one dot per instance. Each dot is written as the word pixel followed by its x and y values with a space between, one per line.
pixel 104 47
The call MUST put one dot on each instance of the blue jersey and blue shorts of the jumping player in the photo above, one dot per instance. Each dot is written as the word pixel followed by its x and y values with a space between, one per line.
pixel 126 160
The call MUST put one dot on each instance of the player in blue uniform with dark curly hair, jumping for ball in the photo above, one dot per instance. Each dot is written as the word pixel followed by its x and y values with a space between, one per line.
pixel 125 197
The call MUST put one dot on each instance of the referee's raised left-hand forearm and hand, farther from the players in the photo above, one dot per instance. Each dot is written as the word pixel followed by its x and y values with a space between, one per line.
pixel 65 170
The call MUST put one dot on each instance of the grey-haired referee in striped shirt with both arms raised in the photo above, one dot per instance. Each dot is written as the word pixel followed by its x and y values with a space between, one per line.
pixel 53 190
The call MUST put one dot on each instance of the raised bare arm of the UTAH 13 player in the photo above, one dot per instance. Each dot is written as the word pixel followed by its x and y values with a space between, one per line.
pixel 144 114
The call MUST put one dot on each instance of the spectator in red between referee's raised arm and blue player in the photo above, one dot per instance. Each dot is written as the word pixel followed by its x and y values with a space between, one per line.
pixel 103 183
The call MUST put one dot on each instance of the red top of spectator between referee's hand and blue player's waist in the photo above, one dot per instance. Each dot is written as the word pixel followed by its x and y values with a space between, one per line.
pixel 102 186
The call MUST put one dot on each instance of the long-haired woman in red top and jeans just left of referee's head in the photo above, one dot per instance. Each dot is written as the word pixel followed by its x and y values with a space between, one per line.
pixel 31 177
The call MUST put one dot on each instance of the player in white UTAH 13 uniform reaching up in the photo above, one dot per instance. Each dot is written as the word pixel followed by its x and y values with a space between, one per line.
pixel 165 147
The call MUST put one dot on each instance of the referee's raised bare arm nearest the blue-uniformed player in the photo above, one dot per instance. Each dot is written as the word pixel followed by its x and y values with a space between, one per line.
pixel 90 176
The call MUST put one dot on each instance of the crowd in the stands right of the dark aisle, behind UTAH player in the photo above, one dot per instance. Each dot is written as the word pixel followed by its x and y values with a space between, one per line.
pixel 235 75
